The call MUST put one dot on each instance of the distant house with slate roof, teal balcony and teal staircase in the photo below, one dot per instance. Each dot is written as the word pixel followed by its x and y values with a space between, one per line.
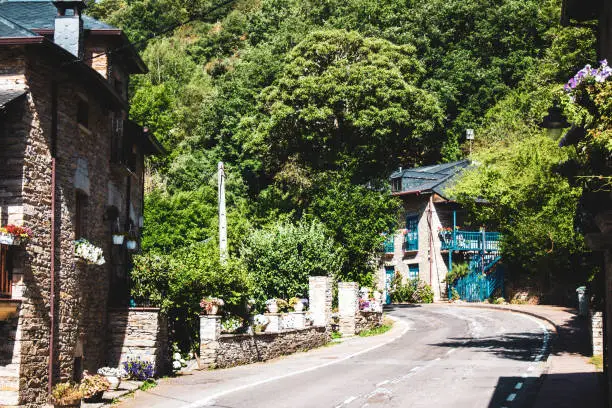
pixel 436 235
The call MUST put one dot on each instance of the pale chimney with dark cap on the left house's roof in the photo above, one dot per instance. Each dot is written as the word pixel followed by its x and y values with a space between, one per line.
pixel 69 26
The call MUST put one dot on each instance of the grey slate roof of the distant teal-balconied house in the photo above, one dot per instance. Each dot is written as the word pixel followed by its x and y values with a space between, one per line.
pixel 436 178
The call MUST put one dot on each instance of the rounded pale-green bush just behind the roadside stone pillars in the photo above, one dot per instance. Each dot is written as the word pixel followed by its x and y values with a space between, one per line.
pixel 281 257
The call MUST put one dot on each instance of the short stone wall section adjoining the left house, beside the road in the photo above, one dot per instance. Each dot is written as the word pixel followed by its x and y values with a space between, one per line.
pixel 138 333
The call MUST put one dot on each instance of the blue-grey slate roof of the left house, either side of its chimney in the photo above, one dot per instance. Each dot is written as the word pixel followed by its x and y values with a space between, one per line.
pixel 40 15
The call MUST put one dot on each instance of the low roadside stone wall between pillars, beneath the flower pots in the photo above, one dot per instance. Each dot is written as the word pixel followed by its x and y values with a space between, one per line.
pixel 245 349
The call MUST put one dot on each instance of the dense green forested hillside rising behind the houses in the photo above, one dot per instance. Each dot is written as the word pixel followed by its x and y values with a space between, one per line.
pixel 312 103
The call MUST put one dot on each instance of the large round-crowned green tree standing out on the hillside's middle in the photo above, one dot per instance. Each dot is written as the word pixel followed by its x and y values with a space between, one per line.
pixel 343 101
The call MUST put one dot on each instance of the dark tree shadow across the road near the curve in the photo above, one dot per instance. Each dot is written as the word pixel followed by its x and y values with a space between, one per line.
pixel 516 346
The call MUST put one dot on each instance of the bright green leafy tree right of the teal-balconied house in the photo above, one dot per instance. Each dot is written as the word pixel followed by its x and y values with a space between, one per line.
pixel 531 205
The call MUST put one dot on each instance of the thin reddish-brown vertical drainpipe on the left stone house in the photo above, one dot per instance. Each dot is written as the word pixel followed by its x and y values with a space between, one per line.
pixel 53 233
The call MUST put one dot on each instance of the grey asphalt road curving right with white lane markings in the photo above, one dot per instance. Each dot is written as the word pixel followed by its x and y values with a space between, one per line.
pixel 436 356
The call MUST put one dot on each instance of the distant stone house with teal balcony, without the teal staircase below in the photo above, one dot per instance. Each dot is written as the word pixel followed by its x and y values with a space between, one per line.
pixel 422 250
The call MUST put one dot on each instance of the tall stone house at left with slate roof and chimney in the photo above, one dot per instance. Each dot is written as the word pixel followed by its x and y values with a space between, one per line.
pixel 71 166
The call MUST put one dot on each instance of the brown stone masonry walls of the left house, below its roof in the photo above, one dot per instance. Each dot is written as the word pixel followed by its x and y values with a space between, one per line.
pixel 85 177
